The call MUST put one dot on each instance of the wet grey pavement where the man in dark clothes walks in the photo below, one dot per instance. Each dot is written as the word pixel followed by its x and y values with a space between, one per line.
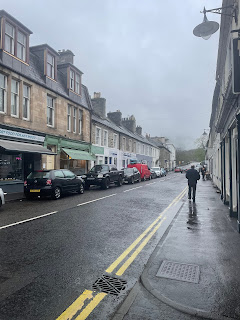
pixel 201 249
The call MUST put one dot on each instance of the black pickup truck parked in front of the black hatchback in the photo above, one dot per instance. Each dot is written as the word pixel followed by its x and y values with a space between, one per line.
pixel 103 175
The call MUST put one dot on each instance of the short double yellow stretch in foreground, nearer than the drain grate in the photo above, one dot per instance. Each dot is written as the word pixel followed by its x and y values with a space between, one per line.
pixel 78 304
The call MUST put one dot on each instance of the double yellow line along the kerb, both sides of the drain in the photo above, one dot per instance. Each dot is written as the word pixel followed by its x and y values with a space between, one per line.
pixel 88 300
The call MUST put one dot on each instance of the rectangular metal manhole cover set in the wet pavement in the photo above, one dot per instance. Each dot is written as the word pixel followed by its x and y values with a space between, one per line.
pixel 179 271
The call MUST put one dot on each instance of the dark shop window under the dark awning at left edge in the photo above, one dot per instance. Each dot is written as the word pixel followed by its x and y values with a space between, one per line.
pixel 11 167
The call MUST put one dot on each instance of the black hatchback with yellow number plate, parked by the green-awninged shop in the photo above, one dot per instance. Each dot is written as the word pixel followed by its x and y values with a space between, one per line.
pixel 52 183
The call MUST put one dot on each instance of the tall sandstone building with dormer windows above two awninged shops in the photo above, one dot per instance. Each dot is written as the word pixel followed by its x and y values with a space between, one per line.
pixel 45 109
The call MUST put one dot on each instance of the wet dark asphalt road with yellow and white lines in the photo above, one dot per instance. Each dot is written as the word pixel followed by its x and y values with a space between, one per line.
pixel 52 252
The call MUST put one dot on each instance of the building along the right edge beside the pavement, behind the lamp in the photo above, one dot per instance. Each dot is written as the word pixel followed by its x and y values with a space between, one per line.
pixel 222 156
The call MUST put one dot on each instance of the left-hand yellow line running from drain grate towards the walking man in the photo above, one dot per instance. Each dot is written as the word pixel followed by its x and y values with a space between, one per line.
pixel 135 243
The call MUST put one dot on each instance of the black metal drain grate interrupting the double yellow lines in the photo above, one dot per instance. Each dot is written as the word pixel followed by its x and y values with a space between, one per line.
pixel 109 285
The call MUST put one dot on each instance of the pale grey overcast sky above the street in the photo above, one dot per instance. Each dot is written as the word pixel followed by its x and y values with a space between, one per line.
pixel 140 54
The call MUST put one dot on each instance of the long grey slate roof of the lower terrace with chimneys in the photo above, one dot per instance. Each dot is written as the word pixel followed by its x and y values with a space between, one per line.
pixel 121 129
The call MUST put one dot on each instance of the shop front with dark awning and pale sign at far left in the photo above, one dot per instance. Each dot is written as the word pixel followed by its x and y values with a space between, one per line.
pixel 20 153
